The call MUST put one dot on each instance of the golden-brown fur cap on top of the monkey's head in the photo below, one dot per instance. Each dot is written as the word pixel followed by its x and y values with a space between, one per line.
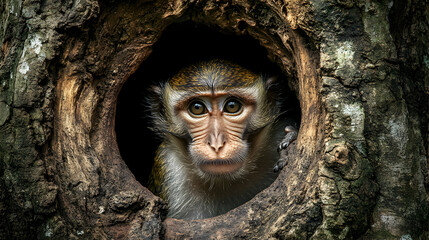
pixel 215 74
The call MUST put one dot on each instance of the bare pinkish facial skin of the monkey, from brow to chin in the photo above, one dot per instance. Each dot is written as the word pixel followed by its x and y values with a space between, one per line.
pixel 216 125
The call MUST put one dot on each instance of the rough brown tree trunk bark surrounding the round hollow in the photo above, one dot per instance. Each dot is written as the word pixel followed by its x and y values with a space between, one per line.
pixel 357 170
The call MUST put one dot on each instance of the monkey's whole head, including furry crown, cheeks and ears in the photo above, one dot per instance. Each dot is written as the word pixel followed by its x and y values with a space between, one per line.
pixel 215 110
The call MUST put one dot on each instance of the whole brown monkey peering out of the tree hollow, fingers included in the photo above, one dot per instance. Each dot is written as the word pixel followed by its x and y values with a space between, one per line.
pixel 221 130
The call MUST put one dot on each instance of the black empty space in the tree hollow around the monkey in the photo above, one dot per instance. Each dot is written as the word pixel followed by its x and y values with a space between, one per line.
pixel 180 45
